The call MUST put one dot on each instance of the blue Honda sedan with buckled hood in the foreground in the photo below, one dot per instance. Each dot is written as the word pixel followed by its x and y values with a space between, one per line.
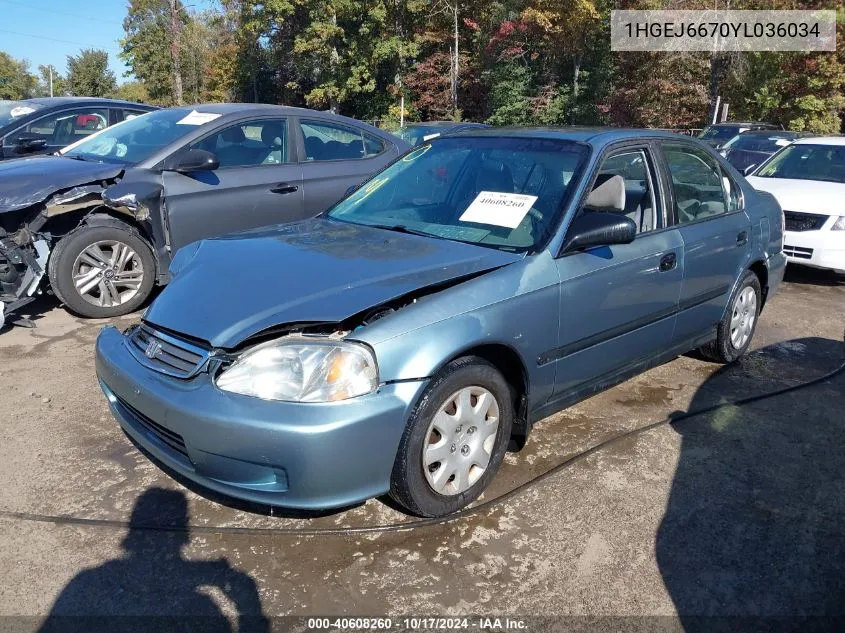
pixel 482 282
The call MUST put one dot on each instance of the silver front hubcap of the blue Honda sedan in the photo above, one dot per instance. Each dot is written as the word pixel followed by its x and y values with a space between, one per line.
pixel 460 440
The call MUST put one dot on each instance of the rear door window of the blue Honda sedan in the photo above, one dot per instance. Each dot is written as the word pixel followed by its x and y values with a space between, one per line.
pixel 697 182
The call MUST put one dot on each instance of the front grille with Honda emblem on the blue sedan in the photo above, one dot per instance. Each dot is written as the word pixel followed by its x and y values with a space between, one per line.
pixel 166 353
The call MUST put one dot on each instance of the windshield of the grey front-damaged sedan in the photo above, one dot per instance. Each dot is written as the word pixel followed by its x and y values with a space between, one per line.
pixel 137 139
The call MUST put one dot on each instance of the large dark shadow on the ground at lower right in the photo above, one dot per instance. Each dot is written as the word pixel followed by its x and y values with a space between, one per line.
pixel 754 522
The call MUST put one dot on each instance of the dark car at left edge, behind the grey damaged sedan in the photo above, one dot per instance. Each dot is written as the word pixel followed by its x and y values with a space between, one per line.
pixel 46 125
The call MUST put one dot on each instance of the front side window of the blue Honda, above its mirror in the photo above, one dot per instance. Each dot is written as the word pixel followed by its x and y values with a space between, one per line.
pixel 629 174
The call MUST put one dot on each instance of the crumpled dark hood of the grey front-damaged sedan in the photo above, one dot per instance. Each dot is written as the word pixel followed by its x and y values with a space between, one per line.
pixel 28 181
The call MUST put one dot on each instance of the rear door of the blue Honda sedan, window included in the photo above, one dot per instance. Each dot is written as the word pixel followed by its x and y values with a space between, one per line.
pixel 707 207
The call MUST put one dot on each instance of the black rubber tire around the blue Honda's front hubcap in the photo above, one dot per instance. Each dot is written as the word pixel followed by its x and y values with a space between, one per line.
pixel 409 486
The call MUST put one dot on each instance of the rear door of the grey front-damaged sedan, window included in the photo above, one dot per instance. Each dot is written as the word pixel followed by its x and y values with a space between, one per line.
pixel 335 158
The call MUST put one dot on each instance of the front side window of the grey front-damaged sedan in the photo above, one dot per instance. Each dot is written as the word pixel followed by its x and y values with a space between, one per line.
pixel 249 144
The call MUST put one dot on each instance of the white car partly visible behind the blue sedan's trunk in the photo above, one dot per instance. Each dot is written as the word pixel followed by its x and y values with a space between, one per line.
pixel 808 180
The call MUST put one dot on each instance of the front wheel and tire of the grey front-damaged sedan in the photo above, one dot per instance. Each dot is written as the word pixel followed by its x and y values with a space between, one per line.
pixel 137 272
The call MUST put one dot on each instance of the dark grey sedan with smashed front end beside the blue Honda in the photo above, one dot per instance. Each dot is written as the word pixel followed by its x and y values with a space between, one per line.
pixel 103 218
